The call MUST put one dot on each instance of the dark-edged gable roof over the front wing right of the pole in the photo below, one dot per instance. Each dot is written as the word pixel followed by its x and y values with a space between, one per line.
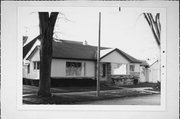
pixel 127 56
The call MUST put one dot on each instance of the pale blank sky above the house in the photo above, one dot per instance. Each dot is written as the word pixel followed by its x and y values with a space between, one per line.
pixel 126 29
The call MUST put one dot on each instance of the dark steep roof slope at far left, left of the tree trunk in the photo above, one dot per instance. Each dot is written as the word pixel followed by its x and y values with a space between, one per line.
pixel 28 46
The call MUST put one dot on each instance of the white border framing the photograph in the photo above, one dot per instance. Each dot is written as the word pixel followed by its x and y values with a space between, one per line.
pixel 161 107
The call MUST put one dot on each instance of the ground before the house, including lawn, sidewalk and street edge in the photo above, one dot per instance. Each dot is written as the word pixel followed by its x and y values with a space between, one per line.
pixel 87 95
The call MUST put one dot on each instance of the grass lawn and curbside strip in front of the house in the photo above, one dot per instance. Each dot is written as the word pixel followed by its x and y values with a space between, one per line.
pixel 78 95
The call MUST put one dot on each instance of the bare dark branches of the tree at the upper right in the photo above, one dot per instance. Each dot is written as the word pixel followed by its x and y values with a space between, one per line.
pixel 155 25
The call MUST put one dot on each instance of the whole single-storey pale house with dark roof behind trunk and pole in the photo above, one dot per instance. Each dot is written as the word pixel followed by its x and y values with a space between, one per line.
pixel 76 62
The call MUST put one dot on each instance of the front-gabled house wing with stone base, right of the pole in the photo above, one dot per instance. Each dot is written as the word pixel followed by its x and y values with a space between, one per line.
pixel 120 66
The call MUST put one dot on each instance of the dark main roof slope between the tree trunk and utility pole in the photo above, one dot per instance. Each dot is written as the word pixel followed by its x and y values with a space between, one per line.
pixel 66 50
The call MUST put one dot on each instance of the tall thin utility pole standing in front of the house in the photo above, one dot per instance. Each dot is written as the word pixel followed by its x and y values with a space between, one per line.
pixel 98 57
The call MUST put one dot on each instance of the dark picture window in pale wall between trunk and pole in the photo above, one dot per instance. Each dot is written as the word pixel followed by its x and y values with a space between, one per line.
pixel 73 68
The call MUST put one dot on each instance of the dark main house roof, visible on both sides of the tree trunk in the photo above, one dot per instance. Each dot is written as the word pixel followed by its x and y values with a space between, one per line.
pixel 64 49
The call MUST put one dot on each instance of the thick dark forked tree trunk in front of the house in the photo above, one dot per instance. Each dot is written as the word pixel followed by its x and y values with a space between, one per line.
pixel 46 30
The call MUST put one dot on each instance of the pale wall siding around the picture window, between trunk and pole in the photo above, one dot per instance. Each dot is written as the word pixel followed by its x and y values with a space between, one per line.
pixel 58 68
